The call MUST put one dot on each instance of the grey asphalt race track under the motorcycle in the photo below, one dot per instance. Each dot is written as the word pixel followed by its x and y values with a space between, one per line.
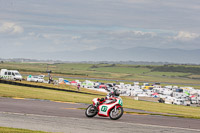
pixel 68 117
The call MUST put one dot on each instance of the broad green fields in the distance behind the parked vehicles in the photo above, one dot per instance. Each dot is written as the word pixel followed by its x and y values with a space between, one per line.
pixel 141 73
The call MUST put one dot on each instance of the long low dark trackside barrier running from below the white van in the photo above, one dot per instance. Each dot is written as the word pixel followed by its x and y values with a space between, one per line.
pixel 43 87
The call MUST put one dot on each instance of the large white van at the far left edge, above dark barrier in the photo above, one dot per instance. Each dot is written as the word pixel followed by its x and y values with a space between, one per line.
pixel 10 74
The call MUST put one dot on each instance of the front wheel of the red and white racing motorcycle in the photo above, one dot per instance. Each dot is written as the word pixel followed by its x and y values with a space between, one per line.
pixel 116 114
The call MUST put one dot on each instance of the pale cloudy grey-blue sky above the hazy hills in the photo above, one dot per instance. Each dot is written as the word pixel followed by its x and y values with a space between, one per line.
pixel 78 25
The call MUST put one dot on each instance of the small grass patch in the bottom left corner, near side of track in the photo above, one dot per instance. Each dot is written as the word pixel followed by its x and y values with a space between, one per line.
pixel 17 130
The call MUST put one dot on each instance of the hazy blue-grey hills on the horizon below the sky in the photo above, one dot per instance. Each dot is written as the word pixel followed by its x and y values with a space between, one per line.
pixel 111 54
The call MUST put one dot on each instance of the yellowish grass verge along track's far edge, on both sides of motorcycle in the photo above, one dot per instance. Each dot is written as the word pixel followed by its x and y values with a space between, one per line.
pixel 39 93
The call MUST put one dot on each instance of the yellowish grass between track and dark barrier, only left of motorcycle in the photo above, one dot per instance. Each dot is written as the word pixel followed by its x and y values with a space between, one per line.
pixel 38 93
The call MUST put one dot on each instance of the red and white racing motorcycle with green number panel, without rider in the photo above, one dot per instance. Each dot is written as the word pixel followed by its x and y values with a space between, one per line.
pixel 109 108
